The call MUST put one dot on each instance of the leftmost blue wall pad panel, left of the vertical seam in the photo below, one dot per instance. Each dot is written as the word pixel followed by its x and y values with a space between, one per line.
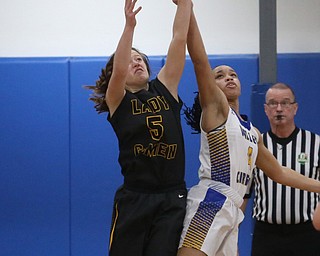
pixel 34 166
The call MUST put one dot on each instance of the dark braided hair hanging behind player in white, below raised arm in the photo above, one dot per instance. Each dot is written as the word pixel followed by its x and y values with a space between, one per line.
pixel 193 114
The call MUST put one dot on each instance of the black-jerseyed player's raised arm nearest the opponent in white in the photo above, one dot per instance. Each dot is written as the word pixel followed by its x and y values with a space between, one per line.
pixel 171 72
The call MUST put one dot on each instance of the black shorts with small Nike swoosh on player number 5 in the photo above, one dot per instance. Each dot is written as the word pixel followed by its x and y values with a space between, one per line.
pixel 147 224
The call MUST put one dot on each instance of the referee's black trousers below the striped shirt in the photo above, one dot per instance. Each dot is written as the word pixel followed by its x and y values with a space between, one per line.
pixel 285 240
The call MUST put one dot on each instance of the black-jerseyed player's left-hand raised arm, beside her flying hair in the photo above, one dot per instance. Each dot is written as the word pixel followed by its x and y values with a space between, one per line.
pixel 122 57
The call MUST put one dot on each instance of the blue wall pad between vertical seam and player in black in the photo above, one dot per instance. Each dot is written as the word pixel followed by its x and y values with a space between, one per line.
pixel 94 172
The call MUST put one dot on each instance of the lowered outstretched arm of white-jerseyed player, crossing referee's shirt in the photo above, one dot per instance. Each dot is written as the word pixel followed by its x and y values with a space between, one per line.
pixel 283 175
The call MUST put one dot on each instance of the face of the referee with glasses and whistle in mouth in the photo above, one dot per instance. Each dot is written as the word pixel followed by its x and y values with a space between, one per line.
pixel 280 106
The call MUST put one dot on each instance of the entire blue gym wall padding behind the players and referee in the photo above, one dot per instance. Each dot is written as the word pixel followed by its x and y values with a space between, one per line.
pixel 59 169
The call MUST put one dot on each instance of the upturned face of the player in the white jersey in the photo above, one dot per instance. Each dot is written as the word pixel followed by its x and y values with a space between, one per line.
pixel 228 81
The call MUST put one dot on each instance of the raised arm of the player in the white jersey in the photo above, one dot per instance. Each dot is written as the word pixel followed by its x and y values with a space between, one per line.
pixel 214 104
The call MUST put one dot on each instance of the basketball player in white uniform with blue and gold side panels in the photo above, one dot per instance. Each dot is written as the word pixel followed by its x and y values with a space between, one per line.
pixel 230 148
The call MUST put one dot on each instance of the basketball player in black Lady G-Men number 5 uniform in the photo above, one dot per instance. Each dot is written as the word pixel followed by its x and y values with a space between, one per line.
pixel 150 206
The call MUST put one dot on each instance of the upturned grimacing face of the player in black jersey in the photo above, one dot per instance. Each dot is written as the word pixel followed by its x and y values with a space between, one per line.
pixel 137 71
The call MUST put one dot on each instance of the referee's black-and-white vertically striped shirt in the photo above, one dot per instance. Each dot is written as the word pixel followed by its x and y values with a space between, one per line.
pixel 278 204
